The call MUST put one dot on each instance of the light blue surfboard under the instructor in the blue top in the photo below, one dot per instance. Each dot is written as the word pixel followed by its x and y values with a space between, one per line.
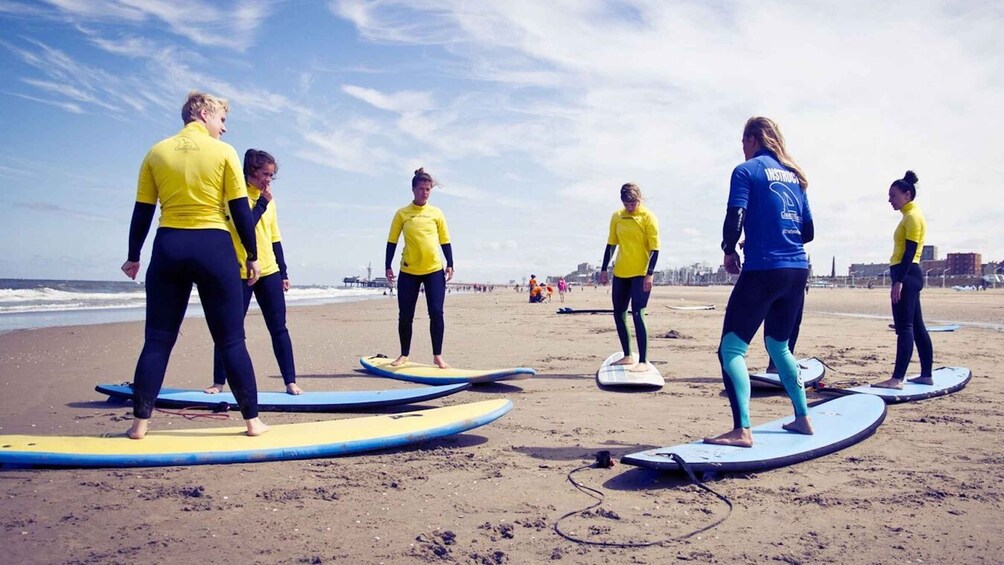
pixel 838 425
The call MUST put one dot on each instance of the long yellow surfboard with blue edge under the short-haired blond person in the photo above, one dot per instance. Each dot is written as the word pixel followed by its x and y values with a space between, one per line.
pixel 231 445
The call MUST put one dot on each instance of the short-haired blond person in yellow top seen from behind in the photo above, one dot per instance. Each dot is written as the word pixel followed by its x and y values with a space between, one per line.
pixel 198 181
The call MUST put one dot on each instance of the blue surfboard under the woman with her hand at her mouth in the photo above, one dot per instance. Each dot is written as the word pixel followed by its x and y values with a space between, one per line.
pixel 281 402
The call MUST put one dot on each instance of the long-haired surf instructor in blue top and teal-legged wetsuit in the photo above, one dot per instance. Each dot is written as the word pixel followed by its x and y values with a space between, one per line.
pixel 768 200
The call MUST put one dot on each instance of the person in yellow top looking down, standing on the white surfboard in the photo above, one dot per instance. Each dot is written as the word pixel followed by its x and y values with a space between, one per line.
pixel 636 230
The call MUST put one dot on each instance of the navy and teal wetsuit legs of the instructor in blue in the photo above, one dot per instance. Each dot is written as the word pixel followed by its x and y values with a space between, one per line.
pixel 775 299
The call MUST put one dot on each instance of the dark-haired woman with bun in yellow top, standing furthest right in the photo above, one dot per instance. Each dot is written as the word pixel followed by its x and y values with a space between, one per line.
pixel 908 281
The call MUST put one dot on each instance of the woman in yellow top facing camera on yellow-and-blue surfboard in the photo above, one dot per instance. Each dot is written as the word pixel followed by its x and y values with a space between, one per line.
pixel 425 230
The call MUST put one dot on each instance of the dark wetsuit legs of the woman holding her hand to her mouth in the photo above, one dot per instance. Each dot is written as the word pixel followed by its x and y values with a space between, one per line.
pixel 273 302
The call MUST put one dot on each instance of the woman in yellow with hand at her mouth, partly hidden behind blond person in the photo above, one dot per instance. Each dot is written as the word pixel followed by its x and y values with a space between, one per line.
pixel 260 172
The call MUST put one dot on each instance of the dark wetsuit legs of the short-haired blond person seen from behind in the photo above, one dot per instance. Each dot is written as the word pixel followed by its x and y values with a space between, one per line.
pixel 205 258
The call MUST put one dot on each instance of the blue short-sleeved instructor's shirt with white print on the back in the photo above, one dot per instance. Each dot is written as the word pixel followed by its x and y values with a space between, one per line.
pixel 776 207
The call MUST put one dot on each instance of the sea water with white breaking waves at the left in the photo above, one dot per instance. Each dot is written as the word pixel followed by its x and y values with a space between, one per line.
pixel 34 304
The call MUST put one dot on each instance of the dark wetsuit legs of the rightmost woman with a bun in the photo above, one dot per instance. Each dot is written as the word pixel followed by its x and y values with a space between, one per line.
pixel 909 324
